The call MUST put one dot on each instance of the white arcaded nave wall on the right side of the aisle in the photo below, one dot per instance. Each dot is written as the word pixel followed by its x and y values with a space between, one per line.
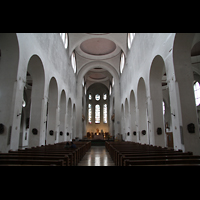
pixel 139 59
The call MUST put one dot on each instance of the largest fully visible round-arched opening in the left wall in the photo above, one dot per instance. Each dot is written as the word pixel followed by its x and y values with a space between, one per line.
pixel 35 81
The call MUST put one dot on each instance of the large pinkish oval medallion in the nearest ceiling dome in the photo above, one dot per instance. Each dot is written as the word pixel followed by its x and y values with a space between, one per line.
pixel 98 46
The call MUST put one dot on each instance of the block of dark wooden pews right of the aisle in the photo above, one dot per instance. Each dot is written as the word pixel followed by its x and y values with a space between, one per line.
pixel 134 154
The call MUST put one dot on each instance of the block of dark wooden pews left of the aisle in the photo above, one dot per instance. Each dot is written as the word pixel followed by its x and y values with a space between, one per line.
pixel 54 154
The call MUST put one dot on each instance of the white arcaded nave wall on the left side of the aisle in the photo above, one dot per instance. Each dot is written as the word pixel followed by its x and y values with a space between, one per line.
pixel 56 63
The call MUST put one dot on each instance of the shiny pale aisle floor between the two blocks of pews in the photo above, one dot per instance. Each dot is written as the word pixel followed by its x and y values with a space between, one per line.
pixel 97 156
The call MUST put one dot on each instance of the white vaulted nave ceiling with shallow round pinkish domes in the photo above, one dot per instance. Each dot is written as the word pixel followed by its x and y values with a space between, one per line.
pixel 103 48
